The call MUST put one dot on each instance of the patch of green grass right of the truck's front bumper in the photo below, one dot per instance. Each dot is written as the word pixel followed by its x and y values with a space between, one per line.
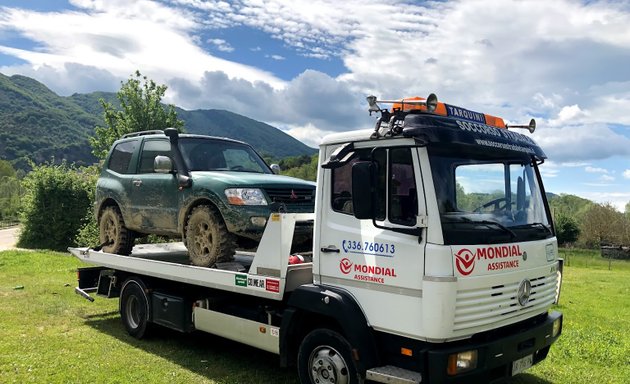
pixel 595 341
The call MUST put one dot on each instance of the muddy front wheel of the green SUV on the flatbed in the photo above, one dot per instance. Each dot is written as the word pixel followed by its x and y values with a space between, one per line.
pixel 207 238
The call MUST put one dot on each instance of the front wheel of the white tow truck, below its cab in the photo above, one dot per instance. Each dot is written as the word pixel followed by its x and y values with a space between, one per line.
pixel 325 357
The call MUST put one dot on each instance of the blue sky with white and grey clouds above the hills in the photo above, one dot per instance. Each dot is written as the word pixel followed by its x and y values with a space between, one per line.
pixel 305 66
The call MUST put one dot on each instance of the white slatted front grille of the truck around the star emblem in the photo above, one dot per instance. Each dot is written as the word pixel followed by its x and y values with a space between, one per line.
pixel 483 306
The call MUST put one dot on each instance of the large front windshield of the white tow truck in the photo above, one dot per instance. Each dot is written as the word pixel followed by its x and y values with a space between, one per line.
pixel 484 200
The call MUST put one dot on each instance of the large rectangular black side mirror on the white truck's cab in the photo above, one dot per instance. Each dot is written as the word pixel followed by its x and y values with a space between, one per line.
pixel 362 189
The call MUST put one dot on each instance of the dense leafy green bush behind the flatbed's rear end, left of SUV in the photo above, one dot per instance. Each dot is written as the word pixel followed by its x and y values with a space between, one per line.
pixel 55 205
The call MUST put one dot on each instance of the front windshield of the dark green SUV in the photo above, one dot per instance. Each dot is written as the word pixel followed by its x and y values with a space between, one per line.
pixel 219 155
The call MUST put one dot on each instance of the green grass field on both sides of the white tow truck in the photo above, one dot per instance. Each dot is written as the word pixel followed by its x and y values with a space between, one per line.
pixel 50 335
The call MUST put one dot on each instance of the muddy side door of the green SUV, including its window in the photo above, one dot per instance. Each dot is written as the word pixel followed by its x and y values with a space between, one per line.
pixel 154 196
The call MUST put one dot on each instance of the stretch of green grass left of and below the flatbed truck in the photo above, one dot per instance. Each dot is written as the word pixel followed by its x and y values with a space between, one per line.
pixel 51 335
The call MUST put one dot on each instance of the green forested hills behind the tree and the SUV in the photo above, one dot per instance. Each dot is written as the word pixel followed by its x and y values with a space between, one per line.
pixel 36 124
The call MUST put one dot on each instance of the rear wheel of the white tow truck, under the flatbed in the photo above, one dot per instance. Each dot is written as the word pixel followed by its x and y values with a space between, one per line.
pixel 135 308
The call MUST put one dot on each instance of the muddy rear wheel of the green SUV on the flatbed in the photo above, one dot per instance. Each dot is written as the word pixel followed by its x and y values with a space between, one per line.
pixel 113 233
